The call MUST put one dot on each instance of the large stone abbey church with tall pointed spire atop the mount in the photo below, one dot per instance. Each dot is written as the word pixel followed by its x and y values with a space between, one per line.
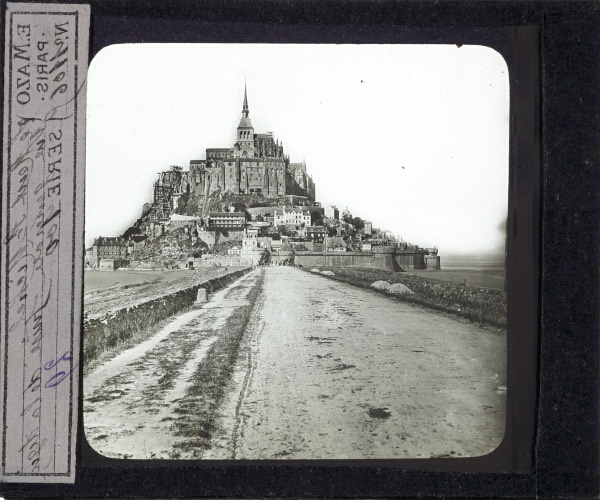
pixel 256 164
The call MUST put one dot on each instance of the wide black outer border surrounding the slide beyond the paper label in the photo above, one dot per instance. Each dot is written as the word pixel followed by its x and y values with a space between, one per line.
pixel 567 113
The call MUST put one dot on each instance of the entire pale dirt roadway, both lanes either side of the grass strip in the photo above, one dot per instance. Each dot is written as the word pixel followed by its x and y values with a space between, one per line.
pixel 325 370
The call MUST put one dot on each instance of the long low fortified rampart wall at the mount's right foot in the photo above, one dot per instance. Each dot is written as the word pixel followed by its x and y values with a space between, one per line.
pixel 387 258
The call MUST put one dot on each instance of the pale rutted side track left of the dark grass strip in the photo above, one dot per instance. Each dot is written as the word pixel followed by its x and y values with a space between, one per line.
pixel 132 402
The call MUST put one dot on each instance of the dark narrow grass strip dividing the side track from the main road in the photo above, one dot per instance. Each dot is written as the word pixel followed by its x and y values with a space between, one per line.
pixel 197 409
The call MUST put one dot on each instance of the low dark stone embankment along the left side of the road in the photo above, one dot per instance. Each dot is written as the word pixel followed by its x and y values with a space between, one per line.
pixel 115 326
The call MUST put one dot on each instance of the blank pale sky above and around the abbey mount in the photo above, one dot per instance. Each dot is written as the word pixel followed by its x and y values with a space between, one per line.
pixel 411 137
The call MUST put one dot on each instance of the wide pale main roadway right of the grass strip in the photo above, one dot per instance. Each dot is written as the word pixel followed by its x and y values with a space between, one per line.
pixel 334 371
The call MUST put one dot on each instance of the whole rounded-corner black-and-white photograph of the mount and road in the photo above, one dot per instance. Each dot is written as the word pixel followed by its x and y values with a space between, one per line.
pixel 295 252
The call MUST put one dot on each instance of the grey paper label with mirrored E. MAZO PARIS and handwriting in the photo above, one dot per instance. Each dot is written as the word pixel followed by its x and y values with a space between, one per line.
pixel 46 49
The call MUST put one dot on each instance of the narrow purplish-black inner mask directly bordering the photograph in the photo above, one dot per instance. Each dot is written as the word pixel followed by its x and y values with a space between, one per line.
pixel 524 159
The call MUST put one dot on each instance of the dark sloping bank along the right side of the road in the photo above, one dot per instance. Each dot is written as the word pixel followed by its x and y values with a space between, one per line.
pixel 476 304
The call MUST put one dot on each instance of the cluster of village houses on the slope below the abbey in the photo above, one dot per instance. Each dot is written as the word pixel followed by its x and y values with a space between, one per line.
pixel 269 235
